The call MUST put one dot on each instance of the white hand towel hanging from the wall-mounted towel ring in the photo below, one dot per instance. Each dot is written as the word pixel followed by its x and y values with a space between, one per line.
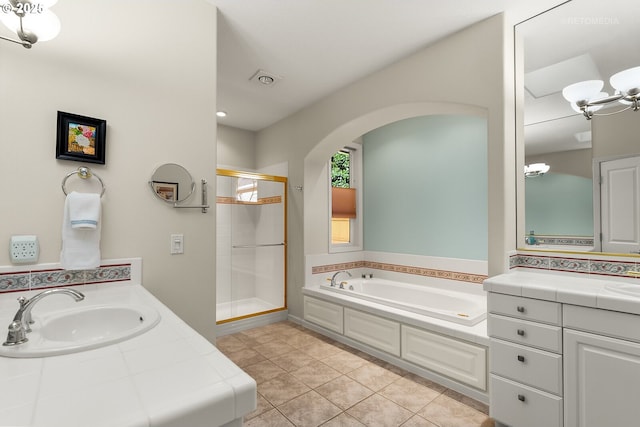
pixel 81 246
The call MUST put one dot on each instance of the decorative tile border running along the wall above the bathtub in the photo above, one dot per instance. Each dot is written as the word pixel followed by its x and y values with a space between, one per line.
pixel 397 268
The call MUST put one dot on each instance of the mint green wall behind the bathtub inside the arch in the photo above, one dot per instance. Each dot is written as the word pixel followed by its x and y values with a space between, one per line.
pixel 425 187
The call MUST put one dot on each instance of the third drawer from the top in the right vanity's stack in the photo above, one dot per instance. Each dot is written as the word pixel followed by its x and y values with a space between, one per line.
pixel 527 365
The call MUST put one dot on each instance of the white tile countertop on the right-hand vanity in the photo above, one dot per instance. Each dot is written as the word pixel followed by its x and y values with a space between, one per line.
pixel 568 289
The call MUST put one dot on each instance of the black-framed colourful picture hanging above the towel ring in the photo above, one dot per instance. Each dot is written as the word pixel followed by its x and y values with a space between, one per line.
pixel 80 138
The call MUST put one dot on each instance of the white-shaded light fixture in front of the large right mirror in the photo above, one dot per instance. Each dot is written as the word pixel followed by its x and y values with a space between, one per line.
pixel 587 97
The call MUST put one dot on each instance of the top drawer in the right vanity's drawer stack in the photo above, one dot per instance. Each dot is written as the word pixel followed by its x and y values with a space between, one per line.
pixel 525 308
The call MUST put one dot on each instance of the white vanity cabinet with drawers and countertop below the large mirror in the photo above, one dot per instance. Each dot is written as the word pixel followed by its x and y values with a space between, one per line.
pixel 569 357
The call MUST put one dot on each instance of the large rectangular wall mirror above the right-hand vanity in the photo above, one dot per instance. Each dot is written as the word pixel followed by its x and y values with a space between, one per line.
pixel 577 41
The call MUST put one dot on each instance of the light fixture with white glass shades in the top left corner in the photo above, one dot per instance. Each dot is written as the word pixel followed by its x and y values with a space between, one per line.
pixel 30 21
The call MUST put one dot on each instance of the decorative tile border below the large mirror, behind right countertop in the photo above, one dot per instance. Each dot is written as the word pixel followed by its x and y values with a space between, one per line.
pixel 565 264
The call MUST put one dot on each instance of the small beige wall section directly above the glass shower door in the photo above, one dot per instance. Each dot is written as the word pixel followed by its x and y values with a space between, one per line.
pixel 236 148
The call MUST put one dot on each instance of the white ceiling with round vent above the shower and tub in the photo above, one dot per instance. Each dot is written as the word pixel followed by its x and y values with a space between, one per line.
pixel 320 46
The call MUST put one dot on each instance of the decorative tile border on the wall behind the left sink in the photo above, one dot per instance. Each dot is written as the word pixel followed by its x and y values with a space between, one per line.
pixel 53 278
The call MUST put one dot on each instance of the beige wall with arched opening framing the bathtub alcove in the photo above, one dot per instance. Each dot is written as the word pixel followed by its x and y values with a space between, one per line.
pixel 469 71
